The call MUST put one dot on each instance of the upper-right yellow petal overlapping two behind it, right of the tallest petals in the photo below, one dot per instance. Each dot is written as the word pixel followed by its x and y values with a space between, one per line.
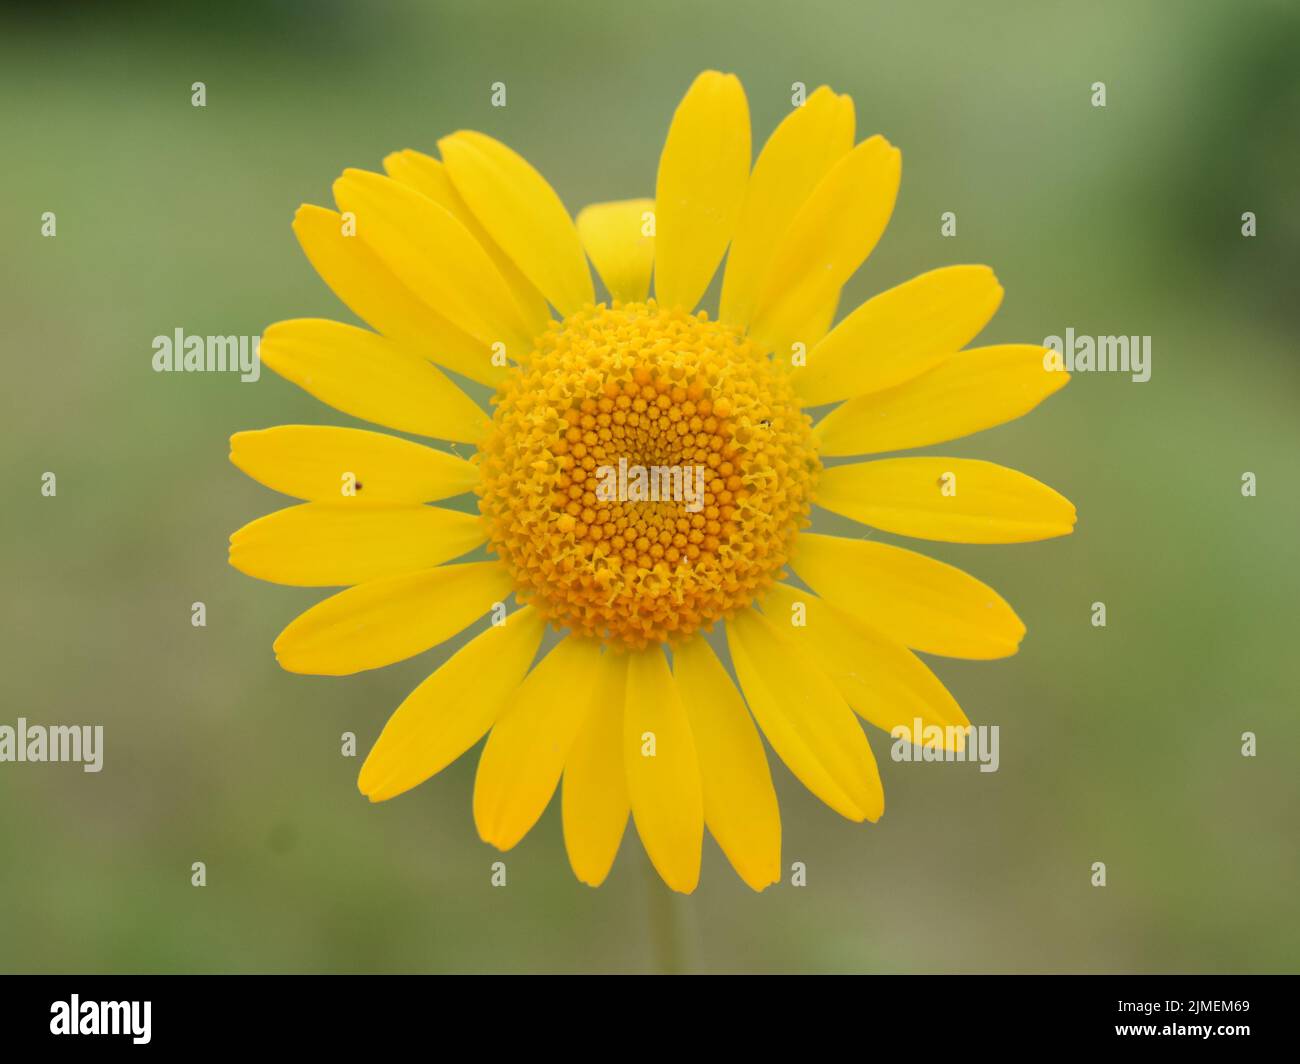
pixel 831 236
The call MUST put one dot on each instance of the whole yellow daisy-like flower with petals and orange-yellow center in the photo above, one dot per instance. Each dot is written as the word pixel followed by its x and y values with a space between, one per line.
pixel 461 263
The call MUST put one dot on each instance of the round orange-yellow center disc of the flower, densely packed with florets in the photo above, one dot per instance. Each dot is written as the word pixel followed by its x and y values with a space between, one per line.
pixel 647 474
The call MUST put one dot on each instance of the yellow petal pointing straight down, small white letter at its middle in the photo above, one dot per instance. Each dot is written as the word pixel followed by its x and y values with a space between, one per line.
pixel 664 772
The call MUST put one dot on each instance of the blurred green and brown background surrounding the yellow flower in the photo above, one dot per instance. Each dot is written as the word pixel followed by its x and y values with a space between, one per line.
pixel 1120 745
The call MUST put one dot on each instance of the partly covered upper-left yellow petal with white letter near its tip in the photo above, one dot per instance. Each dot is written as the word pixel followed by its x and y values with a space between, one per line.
pixel 369 288
